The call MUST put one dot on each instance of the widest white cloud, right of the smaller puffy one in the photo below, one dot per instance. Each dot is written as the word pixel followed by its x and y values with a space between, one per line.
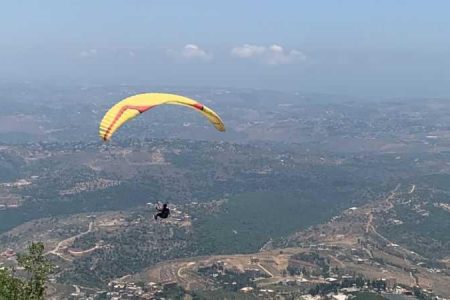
pixel 272 55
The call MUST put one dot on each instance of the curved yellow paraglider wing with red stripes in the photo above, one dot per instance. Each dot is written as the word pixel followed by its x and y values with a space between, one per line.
pixel 132 106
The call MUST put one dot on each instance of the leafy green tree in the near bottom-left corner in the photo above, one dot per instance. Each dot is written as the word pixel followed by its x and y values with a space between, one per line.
pixel 32 285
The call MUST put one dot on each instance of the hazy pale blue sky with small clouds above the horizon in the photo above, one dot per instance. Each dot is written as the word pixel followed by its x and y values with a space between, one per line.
pixel 361 47
